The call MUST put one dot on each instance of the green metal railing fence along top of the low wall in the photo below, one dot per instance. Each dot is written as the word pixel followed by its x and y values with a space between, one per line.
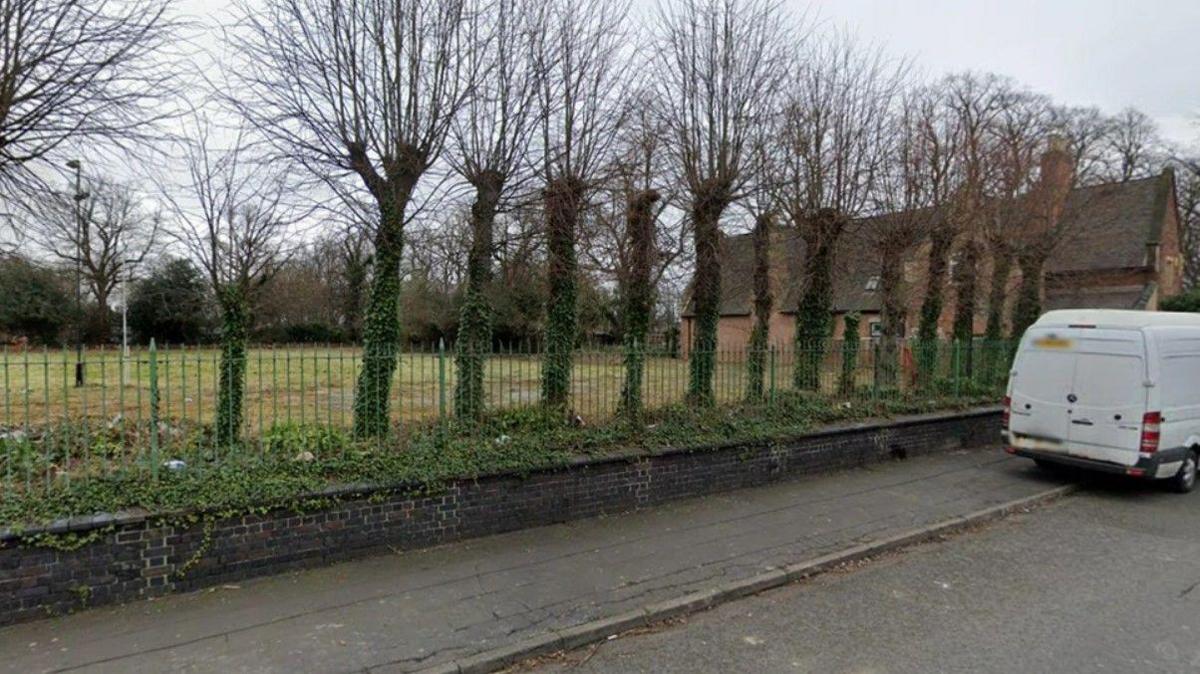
pixel 141 408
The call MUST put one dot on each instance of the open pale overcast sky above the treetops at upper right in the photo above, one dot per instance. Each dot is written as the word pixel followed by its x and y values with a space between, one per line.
pixel 1106 53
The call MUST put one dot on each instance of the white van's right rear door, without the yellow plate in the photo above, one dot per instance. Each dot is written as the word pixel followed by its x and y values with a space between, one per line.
pixel 1108 395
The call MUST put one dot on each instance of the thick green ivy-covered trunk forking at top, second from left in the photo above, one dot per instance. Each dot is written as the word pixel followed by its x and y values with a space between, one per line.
pixel 381 326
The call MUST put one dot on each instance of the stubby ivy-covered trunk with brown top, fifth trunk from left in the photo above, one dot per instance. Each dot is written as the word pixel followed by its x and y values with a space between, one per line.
pixel 639 297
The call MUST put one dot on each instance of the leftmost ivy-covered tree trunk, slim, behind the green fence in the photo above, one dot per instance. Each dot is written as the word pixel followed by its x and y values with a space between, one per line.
pixel 232 378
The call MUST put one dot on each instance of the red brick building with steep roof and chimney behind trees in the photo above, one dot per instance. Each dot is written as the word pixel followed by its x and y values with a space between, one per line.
pixel 1119 249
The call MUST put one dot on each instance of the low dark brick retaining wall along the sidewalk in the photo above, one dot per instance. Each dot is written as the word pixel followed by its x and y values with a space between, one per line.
pixel 141 558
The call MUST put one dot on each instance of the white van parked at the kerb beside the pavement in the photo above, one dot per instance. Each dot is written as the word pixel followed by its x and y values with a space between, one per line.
pixel 1109 390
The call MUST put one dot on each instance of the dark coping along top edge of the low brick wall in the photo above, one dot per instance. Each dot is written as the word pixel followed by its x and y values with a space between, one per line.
pixel 136 516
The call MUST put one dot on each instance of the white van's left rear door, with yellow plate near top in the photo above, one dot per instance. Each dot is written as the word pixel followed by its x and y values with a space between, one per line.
pixel 1041 386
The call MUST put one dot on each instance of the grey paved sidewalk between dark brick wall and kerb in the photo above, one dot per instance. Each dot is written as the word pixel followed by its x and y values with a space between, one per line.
pixel 410 611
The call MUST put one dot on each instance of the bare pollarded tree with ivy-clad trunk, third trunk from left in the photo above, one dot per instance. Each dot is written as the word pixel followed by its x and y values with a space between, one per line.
pixel 493 140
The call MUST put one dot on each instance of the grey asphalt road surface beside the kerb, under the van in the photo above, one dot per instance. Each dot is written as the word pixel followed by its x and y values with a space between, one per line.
pixel 1103 581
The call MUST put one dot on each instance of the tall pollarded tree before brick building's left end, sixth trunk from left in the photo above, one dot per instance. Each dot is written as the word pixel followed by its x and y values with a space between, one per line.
pixel 722 64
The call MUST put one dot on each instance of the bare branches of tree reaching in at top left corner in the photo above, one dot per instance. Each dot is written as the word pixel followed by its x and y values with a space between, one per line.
pixel 80 75
